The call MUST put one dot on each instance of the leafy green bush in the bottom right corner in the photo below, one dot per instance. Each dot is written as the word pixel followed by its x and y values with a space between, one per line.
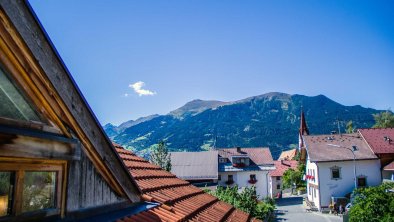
pixel 373 204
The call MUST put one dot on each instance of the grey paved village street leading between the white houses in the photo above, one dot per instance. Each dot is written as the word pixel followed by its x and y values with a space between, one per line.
pixel 292 209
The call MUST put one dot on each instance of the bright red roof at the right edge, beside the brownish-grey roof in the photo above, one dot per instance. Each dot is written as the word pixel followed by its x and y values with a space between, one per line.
pixel 376 140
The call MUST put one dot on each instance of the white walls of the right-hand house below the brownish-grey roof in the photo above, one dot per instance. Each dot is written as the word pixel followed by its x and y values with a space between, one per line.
pixel 329 187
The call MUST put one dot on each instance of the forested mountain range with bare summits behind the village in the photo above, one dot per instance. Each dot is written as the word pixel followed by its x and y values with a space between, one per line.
pixel 269 120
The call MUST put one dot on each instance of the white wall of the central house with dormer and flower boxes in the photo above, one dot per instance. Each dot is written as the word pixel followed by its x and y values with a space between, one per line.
pixel 241 179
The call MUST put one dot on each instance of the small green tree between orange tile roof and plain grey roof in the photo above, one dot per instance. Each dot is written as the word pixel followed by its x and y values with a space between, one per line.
pixel 160 156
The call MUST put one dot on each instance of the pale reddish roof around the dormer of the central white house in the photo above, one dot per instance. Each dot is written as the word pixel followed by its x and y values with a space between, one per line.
pixel 260 155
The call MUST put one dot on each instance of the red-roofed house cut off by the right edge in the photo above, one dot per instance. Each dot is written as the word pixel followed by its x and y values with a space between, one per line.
pixel 381 142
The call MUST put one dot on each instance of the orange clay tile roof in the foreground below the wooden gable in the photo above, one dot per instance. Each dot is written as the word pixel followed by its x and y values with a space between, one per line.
pixel 179 200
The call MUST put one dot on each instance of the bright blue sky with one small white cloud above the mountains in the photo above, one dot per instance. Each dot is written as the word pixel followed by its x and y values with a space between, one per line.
pixel 221 50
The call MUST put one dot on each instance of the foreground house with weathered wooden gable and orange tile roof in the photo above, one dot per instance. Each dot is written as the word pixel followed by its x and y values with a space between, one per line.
pixel 56 163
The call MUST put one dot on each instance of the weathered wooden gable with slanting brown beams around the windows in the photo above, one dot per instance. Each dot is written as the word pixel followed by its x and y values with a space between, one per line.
pixel 70 136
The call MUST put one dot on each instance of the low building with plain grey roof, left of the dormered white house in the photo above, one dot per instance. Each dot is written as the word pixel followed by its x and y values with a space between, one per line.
pixel 199 168
